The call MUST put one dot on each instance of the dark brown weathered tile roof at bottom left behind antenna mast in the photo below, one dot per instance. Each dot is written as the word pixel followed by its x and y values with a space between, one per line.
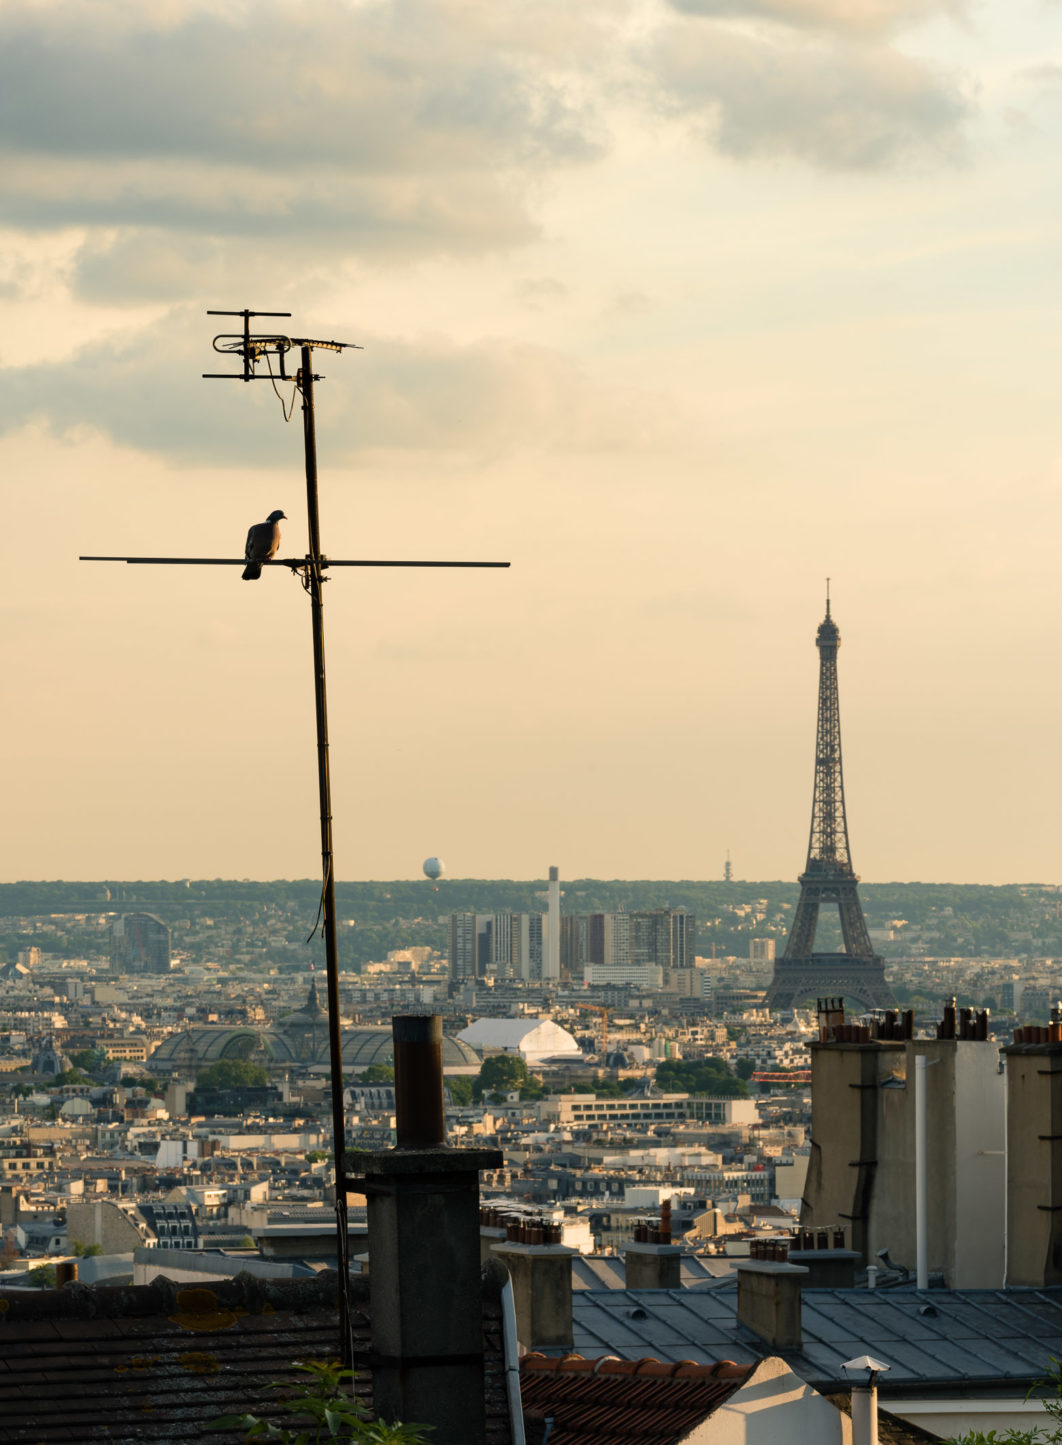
pixel 160 1362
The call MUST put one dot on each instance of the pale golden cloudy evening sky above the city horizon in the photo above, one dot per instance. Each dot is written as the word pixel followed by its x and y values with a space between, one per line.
pixel 678 306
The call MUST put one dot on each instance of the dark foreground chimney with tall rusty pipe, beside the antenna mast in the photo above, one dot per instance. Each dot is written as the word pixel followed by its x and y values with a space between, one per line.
pixel 424 1248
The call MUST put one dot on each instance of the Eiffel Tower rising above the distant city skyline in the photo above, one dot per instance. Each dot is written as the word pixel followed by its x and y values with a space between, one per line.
pixel 829 876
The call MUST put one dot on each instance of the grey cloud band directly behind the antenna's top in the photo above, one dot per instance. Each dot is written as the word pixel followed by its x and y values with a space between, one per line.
pixel 475 401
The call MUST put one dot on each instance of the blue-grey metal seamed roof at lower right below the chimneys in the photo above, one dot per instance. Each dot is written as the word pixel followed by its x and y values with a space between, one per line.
pixel 995 1339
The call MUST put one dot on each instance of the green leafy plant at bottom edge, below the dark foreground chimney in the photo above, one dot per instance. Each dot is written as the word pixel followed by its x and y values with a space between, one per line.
pixel 334 1414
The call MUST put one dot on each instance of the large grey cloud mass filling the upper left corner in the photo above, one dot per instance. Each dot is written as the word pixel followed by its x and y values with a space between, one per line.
pixel 411 124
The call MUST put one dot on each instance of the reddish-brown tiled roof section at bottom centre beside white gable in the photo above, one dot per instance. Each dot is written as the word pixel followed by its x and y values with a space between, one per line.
pixel 621 1402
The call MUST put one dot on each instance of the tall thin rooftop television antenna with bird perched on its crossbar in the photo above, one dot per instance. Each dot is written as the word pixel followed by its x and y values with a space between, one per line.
pixel 254 350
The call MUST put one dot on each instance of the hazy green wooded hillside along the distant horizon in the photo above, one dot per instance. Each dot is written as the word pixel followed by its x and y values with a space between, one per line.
pixel 957 920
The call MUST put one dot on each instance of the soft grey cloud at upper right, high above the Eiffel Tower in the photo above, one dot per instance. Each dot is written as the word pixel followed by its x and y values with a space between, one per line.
pixel 834 103
